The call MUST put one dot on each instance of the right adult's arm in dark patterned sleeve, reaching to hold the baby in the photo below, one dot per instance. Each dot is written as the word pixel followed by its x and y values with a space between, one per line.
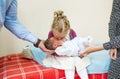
pixel 115 43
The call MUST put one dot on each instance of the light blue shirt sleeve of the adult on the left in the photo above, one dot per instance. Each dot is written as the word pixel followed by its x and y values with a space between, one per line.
pixel 12 24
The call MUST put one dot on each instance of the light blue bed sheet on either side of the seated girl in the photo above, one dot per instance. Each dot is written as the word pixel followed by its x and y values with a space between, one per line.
pixel 100 60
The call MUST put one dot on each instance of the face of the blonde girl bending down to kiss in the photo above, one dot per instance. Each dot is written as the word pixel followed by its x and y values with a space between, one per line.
pixel 58 35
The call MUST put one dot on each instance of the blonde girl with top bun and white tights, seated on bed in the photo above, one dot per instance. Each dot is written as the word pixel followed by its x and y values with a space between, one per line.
pixel 61 30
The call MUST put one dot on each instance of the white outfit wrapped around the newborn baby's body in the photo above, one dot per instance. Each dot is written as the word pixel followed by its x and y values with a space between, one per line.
pixel 73 47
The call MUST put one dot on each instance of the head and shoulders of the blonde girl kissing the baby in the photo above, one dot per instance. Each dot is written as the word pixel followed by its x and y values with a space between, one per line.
pixel 61 27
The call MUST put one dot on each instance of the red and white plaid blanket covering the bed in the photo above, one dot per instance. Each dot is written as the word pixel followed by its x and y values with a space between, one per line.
pixel 18 68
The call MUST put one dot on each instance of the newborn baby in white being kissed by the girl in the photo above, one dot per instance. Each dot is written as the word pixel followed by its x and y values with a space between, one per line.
pixel 68 48
